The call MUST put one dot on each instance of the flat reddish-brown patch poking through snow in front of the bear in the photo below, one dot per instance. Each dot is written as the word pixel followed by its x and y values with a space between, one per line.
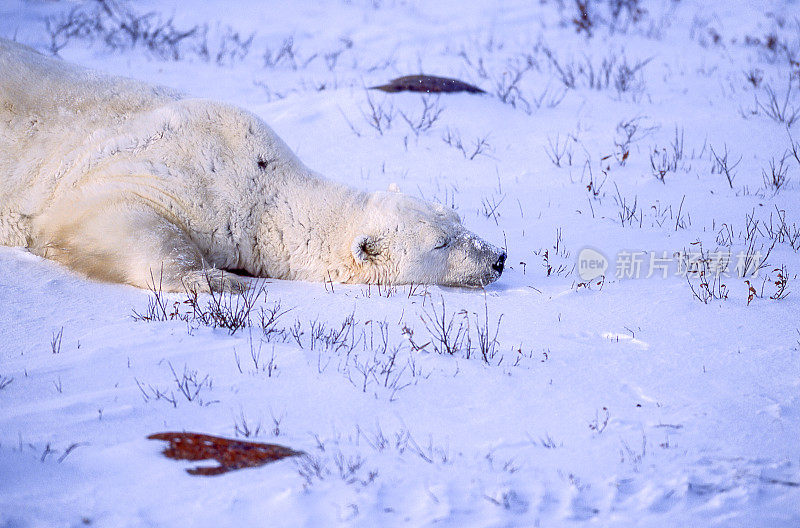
pixel 230 454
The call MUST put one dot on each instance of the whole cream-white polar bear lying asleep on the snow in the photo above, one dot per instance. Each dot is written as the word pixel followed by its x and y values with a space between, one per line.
pixel 126 182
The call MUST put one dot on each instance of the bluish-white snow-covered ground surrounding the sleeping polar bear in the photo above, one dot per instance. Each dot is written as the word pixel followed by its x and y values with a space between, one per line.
pixel 620 401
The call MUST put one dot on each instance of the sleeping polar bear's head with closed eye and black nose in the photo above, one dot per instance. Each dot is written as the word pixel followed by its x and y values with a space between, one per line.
pixel 403 240
